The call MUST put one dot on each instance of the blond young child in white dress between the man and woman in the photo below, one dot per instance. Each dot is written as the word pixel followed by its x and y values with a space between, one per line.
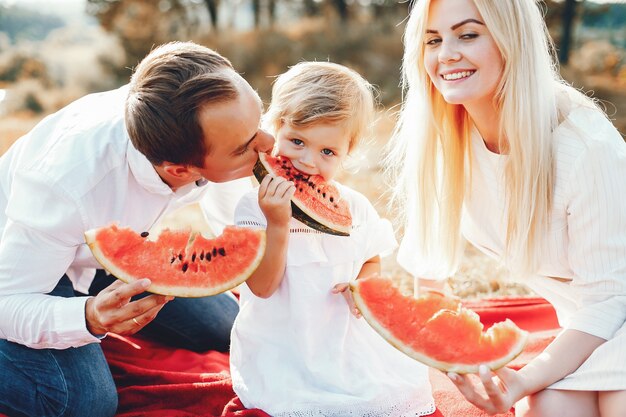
pixel 296 349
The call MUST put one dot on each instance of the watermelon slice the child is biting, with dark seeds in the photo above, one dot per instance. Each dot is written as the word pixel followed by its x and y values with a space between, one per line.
pixel 315 203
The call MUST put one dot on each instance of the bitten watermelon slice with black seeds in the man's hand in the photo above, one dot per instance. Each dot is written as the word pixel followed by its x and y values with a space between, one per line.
pixel 179 262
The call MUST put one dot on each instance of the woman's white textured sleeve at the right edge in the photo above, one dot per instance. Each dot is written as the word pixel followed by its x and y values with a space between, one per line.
pixel 597 238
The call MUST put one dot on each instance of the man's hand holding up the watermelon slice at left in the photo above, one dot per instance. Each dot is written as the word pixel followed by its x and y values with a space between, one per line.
pixel 112 311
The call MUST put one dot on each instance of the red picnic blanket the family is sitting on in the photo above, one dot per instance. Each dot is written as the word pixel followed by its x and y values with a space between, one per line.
pixel 156 381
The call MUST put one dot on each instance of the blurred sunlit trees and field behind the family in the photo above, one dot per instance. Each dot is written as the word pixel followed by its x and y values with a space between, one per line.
pixel 54 51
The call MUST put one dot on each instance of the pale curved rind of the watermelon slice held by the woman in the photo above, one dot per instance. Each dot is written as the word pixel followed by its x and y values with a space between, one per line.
pixel 361 304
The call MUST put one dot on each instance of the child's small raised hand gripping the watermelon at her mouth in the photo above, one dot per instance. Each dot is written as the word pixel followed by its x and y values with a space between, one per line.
pixel 275 199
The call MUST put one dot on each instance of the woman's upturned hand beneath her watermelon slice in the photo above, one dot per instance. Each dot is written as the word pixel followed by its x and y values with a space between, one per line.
pixel 494 394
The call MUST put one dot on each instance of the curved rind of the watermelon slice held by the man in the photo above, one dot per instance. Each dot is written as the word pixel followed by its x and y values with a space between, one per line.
pixel 174 290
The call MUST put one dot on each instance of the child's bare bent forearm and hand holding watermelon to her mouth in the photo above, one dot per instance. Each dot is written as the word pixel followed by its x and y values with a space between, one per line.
pixel 275 201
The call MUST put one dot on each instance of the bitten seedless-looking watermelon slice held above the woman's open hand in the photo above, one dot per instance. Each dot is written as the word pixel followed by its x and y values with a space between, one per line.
pixel 435 329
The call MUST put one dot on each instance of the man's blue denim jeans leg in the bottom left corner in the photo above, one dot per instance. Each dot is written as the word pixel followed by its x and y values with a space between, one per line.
pixel 50 382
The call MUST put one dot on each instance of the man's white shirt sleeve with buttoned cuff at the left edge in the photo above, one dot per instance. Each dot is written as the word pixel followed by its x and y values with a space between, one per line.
pixel 38 244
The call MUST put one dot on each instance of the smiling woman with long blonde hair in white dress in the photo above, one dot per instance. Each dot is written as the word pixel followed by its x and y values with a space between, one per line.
pixel 492 146
